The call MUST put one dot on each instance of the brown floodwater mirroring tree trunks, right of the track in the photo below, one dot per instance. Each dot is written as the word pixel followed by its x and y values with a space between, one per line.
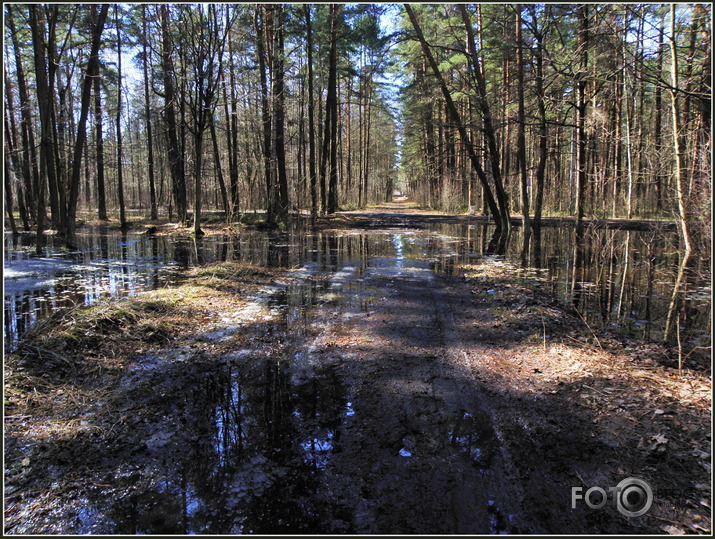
pixel 624 279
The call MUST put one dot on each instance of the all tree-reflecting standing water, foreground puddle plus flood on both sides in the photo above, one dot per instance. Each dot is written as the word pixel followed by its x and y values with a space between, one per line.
pixel 244 445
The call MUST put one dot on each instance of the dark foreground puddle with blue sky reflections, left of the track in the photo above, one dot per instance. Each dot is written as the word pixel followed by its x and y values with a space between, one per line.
pixel 247 461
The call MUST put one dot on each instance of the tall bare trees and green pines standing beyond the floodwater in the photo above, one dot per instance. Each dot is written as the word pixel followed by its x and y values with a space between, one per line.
pixel 555 110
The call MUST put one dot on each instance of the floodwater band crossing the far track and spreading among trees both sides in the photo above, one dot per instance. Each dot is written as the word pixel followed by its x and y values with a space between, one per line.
pixel 626 280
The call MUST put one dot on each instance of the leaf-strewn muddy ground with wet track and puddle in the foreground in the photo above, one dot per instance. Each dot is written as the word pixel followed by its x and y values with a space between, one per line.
pixel 393 400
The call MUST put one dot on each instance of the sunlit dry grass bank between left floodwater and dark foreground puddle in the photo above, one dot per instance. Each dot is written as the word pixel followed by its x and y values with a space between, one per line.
pixel 84 349
